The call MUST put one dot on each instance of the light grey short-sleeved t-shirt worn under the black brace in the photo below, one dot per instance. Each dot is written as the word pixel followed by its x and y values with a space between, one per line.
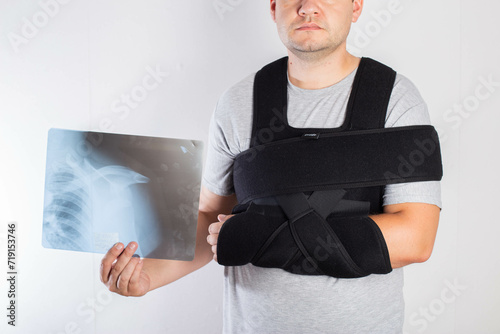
pixel 263 300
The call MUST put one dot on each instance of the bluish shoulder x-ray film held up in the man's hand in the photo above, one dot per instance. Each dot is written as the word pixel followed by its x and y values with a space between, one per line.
pixel 102 188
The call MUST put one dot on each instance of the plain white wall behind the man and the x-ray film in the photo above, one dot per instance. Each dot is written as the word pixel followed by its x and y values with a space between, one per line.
pixel 71 71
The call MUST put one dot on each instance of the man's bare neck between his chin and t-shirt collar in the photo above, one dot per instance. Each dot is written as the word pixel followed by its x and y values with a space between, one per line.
pixel 320 73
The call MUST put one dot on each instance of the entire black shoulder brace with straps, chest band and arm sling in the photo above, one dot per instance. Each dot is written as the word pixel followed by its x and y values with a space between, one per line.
pixel 305 194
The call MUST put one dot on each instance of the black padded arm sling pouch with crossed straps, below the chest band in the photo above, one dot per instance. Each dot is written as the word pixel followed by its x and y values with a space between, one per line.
pixel 301 241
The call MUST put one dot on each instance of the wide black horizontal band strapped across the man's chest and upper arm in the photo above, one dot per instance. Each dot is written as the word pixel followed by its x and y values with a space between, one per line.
pixel 349 159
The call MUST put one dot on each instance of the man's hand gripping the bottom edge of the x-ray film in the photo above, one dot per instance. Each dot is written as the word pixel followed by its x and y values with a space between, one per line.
pixel 122 273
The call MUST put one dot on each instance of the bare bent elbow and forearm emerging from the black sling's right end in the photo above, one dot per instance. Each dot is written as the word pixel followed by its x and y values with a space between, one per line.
pixel 409 231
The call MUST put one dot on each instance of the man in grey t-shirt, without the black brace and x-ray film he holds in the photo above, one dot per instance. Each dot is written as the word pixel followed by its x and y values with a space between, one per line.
pixel 270 300
